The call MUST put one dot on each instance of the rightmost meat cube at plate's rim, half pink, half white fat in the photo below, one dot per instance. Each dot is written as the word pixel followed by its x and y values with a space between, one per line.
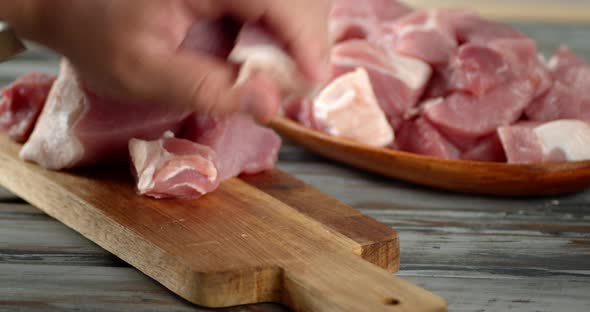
pixel 556 141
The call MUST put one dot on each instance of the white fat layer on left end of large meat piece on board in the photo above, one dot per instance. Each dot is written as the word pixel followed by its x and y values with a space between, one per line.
pixel 53 144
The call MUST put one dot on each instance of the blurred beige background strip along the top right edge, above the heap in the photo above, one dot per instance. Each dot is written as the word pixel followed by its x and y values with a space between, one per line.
pixel 537 10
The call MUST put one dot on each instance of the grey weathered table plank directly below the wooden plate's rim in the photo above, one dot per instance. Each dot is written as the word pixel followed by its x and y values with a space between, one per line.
pixel 365 190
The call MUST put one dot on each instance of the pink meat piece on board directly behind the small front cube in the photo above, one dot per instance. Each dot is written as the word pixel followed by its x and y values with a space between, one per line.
pixel 241 145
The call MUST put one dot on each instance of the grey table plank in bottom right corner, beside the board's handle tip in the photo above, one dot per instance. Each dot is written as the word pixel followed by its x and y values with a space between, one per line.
pixel 483 292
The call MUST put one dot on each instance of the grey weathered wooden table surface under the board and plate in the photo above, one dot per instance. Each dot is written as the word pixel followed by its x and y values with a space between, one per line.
pixel 480 253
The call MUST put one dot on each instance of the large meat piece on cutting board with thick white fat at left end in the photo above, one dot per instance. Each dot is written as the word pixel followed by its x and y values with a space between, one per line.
pixel 78 128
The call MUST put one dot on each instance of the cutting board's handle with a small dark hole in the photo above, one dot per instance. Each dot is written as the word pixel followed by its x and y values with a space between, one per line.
pixel 348 283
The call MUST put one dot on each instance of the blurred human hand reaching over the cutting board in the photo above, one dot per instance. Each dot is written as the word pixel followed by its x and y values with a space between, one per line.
pixel 130 49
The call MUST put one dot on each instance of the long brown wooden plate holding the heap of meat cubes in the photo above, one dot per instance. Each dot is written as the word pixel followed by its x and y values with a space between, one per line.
pixel 453 175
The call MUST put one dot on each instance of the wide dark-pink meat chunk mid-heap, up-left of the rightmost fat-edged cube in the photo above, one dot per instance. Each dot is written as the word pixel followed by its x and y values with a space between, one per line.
pixel 465 118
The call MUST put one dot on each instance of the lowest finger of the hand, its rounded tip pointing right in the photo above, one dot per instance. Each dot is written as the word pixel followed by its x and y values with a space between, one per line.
pixel 207 85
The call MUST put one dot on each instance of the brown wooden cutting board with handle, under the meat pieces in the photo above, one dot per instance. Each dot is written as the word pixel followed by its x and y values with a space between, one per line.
pixel 266 238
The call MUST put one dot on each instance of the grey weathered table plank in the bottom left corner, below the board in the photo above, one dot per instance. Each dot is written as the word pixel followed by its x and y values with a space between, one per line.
pixel 88 288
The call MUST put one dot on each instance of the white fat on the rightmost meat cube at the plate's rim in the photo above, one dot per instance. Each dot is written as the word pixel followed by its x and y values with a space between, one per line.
pixel 572 137
